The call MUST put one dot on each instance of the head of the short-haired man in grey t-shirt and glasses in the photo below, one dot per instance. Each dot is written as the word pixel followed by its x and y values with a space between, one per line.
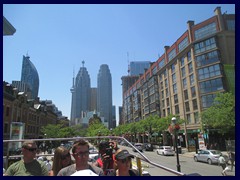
pixel 80 152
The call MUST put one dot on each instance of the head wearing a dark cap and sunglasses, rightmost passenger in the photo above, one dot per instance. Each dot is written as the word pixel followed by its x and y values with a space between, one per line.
pixel 123 159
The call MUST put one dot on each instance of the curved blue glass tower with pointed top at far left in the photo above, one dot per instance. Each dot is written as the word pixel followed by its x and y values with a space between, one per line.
pixel 30 76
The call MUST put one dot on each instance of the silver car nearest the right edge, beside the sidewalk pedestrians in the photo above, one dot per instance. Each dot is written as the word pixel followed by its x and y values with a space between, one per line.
pixel 209 156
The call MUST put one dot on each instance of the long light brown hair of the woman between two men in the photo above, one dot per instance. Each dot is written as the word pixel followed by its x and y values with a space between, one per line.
pixel 57 161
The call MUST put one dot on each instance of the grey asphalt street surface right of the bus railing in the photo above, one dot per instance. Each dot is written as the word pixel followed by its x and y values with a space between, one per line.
pixel 188 165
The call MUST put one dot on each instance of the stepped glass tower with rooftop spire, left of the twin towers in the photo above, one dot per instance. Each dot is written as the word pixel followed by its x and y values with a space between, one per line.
pixel 80 95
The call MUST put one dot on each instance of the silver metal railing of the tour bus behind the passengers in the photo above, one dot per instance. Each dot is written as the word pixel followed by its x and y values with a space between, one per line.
pixel 144 158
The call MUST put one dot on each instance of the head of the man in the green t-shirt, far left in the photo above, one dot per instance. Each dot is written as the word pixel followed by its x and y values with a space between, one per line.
pixel 29 149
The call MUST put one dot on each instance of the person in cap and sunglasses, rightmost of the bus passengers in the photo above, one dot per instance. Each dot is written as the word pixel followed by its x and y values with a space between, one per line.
pixel 123 164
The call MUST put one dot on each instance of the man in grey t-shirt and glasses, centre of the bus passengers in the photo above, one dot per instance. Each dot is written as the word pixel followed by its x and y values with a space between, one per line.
pixel 80 152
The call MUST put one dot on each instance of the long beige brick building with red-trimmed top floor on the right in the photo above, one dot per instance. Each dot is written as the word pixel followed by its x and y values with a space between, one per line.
pixel 186 78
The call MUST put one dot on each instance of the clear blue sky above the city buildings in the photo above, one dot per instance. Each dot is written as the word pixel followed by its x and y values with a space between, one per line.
pixel 59 37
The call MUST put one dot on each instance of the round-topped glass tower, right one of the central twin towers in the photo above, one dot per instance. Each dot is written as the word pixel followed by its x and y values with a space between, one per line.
pixel 104 94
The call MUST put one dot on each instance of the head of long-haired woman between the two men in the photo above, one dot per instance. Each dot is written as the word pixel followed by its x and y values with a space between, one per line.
pixel 61 159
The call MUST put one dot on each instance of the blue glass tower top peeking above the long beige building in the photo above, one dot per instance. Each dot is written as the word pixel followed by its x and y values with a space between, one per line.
pixel 138 67
